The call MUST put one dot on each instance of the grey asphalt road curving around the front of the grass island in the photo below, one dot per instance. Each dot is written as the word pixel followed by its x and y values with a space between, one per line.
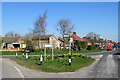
pixel 105 66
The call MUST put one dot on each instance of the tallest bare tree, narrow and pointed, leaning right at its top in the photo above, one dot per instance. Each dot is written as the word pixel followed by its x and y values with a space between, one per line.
pixel 40 25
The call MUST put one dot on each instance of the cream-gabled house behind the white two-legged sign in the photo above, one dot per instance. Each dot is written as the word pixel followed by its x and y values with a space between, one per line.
pixel 45 39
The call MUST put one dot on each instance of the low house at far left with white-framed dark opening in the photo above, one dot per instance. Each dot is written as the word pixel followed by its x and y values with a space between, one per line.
pixel 13 43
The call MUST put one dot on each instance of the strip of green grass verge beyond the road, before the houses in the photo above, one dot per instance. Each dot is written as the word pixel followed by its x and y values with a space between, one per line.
pixel 50 52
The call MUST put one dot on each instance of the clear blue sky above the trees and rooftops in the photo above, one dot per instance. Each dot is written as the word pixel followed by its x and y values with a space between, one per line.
pixel 98 17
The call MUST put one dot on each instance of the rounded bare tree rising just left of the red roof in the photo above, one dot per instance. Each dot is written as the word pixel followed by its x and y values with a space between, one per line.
pixel 64 26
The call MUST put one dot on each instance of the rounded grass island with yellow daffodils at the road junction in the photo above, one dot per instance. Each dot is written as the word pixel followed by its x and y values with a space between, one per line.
pixel 59 64
